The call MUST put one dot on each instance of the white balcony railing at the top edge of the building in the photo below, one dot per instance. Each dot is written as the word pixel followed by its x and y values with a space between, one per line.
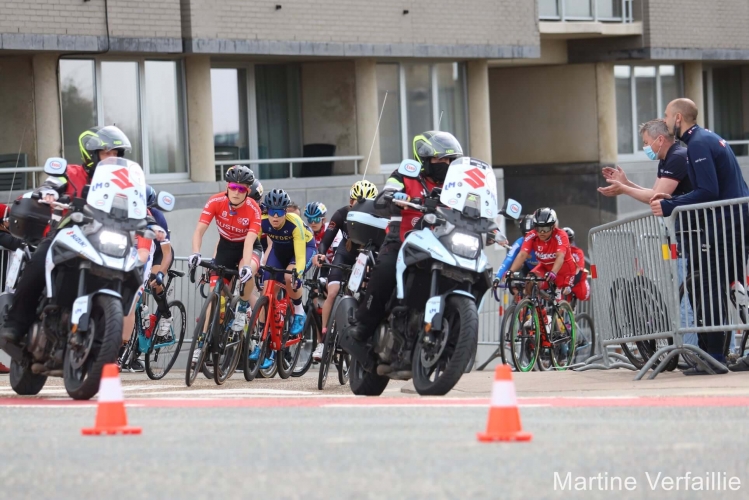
pixel 609 11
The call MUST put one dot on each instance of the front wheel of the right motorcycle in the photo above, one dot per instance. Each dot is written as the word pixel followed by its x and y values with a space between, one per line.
pixel 437 368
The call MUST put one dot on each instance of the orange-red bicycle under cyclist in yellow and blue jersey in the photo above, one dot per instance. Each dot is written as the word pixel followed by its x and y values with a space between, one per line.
pixel 271 333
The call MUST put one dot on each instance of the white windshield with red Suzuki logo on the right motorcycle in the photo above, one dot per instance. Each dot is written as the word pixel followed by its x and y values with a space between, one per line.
pixel 470 188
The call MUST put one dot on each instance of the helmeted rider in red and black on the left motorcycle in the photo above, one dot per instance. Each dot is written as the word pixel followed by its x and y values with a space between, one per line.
pixel 96 144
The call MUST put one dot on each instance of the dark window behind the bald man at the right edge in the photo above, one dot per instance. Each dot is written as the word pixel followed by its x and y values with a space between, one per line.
pixel 724 105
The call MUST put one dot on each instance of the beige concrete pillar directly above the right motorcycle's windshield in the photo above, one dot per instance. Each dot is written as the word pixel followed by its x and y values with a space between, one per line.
pixel 479 121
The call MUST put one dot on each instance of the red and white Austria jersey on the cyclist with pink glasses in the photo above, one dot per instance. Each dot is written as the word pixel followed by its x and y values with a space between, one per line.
pixel 233 224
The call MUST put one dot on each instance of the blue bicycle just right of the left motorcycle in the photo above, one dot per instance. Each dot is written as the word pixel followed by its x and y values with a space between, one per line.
pixel 157 348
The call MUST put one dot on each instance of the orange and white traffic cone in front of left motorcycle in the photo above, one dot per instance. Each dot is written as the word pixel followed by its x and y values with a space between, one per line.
pixel 110 411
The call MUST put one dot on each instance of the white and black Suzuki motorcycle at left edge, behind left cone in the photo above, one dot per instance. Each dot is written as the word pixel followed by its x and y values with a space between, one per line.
pixel 93 277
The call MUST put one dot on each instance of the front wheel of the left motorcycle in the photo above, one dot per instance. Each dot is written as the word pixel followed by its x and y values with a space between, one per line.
pixel 83 364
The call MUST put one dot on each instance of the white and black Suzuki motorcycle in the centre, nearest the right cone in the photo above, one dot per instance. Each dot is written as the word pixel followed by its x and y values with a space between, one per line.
pixel 431 331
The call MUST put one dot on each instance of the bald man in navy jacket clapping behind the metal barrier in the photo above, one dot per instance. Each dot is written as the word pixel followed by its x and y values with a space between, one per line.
pixel 715 176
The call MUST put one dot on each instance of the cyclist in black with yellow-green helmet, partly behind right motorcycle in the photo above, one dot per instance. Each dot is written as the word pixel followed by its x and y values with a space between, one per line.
pixel 345 254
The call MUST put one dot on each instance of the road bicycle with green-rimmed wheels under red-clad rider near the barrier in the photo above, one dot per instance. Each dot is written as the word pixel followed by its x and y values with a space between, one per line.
pixel 557 335
